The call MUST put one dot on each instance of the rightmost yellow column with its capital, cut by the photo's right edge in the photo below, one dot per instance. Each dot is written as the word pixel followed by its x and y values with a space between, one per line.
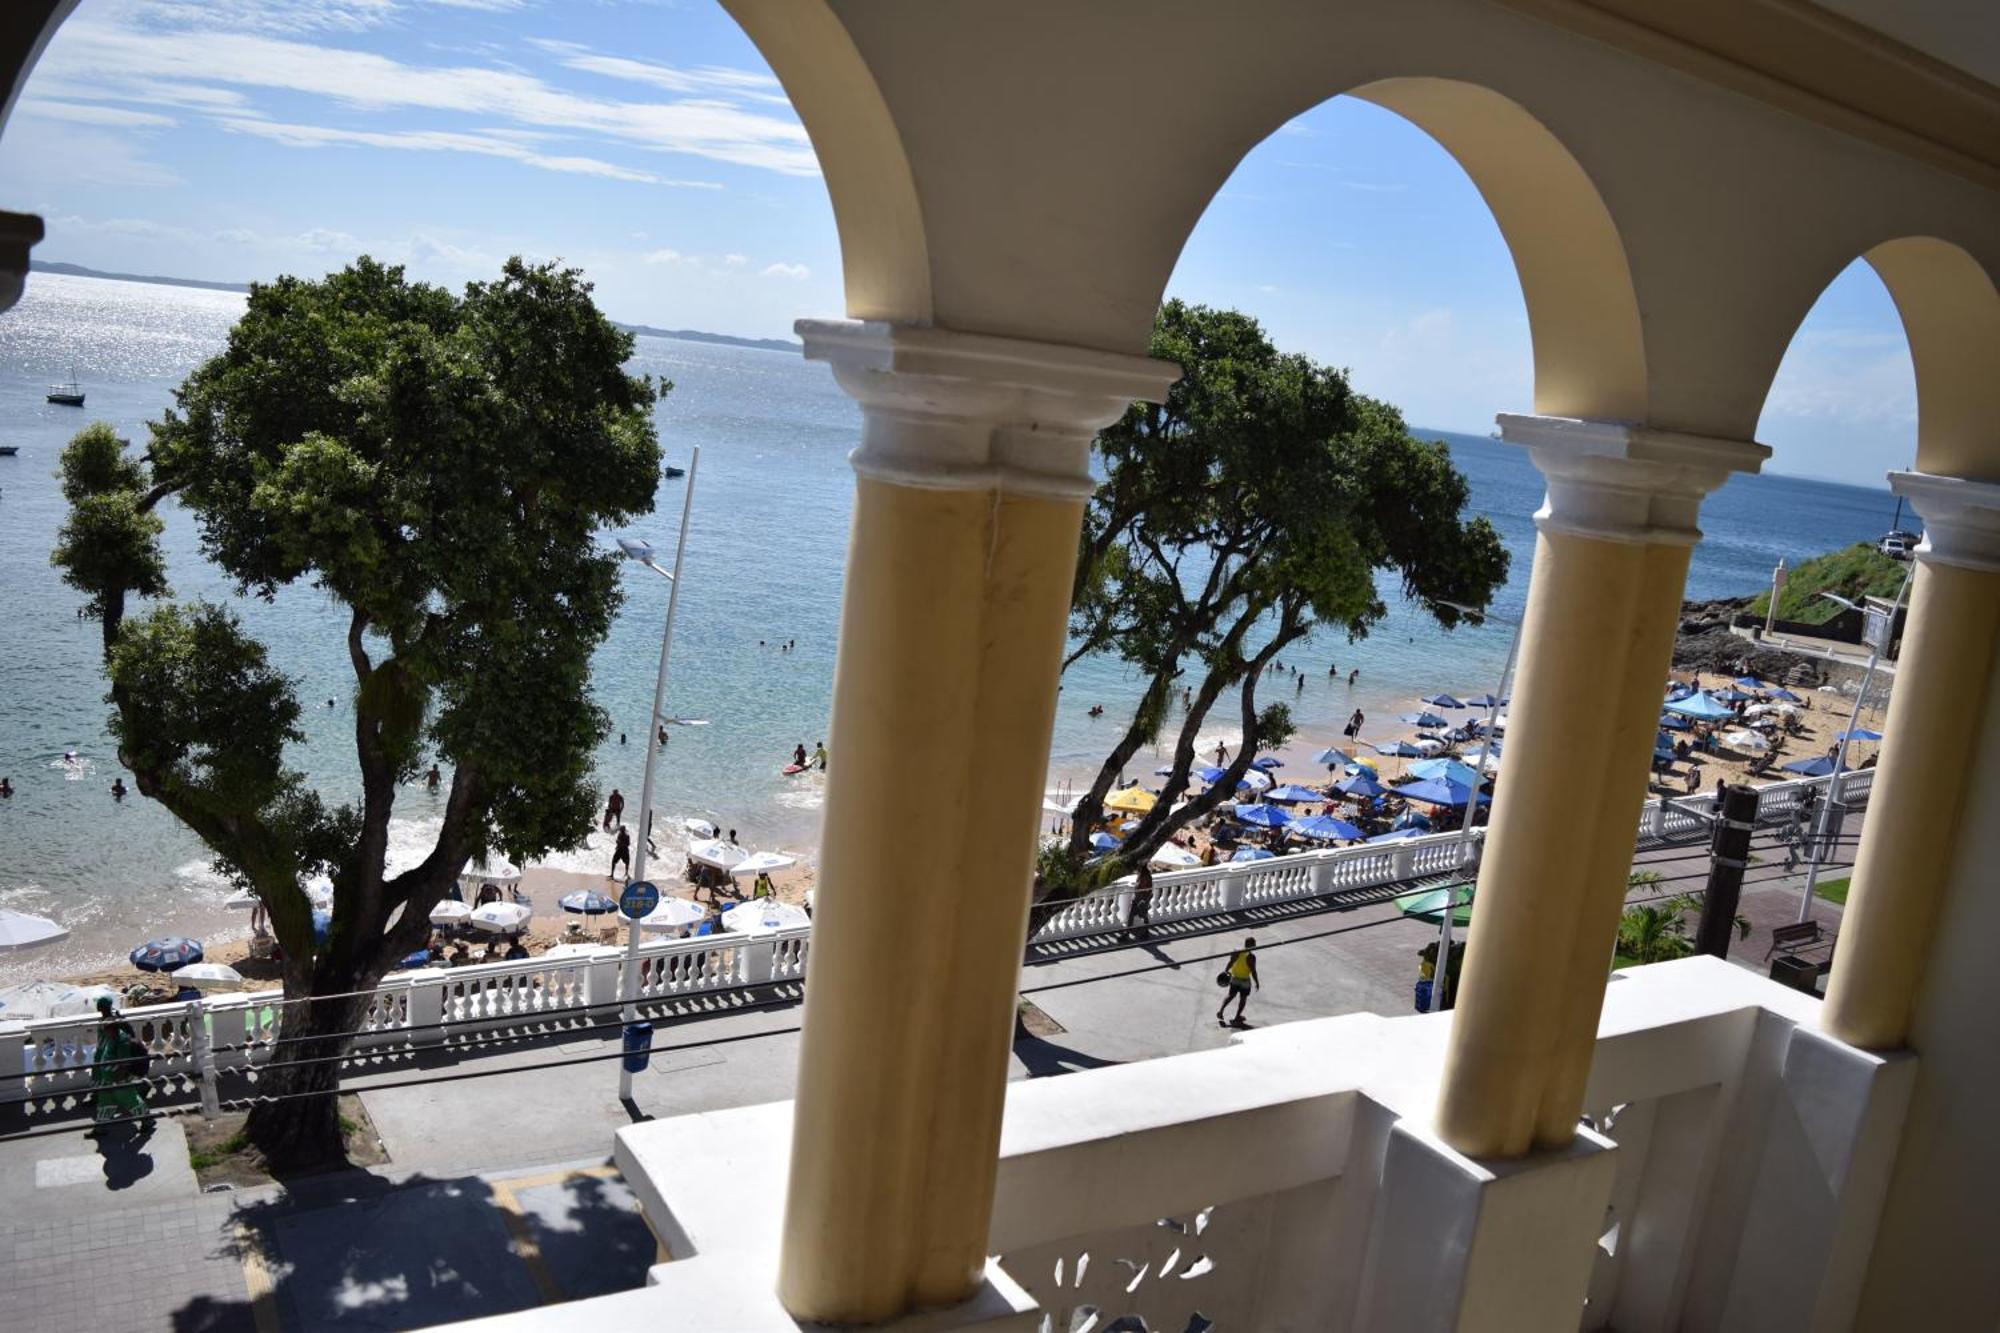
pixel 1929 742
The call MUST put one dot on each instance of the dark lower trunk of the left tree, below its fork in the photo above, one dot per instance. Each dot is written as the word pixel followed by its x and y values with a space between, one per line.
pixel 303 1126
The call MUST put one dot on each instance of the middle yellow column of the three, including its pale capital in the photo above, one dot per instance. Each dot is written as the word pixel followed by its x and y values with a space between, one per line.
pixel 1597 643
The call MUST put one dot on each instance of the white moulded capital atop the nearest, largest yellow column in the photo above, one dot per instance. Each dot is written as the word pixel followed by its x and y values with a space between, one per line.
pixel 955 411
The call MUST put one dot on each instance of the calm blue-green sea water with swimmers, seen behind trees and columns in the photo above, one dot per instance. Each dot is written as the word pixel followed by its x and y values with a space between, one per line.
pixel 765 565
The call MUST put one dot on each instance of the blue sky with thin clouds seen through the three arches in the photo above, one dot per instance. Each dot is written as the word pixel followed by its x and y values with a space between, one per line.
pixel 649 143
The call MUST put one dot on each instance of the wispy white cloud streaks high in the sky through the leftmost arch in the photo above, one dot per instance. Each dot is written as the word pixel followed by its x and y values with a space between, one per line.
pixel 143 47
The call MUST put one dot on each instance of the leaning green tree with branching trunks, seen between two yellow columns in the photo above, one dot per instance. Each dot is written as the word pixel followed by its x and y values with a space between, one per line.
pixel 1249 509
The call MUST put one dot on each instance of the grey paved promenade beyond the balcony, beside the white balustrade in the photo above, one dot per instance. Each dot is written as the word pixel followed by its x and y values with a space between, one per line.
pixel 473 1220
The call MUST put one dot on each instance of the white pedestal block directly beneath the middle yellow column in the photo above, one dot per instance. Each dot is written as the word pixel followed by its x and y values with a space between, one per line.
pixel 1461 1244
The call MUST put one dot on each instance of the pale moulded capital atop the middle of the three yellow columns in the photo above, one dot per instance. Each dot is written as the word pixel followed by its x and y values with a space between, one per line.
pixel 1625 483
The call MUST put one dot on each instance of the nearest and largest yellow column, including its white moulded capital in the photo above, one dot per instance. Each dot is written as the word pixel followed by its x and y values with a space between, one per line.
pixel 973 481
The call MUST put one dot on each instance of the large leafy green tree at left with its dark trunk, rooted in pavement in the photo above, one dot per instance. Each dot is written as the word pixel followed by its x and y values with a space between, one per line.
pixel 439 467
